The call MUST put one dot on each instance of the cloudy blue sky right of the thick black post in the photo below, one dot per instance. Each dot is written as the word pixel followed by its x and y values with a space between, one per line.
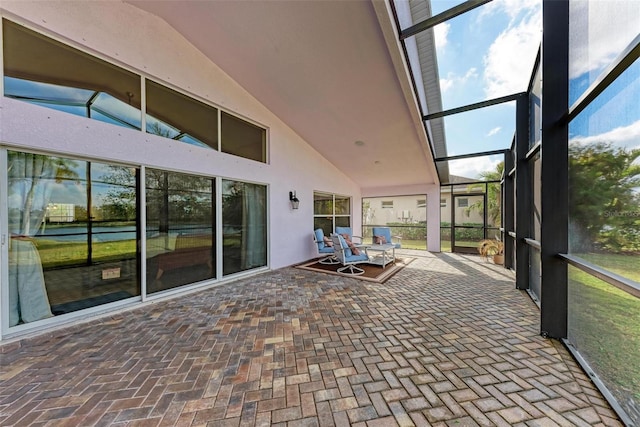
pixel 601 31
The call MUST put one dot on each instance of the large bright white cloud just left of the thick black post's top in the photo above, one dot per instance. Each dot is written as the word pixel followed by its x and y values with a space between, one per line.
pixel 510 58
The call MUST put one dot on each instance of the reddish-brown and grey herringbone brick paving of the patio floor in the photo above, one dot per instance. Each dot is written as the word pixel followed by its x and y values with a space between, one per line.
pixel 446 341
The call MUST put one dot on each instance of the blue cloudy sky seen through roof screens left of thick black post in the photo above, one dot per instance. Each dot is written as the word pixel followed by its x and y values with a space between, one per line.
pixel 484 54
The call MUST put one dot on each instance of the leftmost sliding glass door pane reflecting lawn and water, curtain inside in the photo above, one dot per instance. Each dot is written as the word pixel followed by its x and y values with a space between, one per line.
pixel 61 258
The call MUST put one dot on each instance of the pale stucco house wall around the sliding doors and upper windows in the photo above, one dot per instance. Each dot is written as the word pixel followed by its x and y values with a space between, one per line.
pixel 145 44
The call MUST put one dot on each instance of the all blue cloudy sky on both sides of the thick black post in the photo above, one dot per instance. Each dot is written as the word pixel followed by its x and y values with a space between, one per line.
pixel 489 52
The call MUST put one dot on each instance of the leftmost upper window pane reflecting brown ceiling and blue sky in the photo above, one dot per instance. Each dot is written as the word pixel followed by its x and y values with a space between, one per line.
pixel 67 79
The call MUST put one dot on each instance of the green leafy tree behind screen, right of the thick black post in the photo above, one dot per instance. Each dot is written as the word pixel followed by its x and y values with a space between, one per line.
pixel 604 199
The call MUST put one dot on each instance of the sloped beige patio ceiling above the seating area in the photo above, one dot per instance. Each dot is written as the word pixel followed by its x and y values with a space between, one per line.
pixel 331 70
